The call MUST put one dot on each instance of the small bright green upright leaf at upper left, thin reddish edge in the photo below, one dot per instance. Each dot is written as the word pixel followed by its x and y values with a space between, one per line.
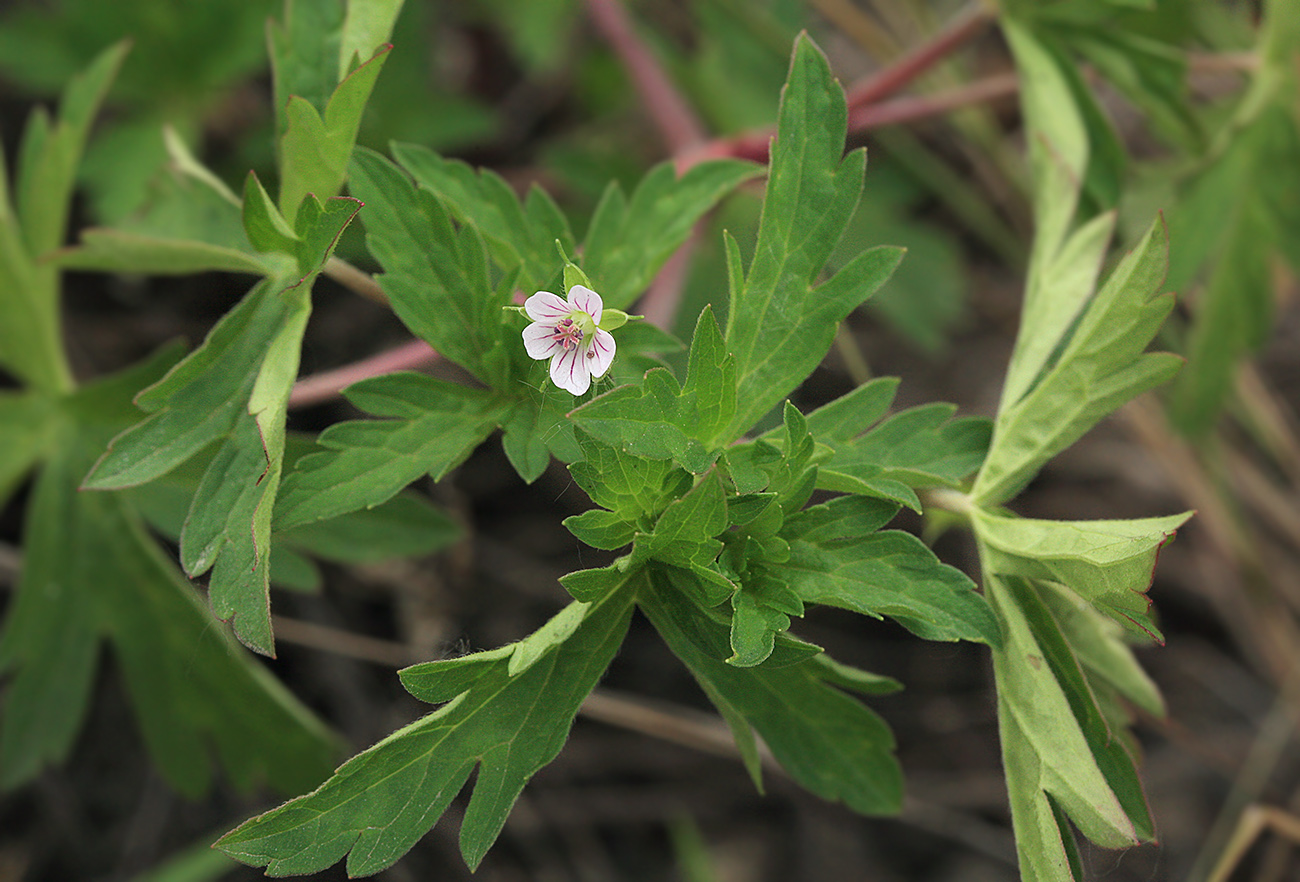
pixel 315 150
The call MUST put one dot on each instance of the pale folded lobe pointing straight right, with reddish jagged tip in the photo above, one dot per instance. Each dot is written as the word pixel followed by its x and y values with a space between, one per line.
pixel 1107 563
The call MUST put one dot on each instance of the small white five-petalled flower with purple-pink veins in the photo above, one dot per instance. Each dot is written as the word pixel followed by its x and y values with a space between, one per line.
pixel 569 334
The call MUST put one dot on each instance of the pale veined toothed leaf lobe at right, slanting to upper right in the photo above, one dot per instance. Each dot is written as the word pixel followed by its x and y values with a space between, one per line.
pixel 1102 367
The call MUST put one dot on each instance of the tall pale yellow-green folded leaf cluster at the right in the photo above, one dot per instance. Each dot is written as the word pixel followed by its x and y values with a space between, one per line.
pixel 1068 594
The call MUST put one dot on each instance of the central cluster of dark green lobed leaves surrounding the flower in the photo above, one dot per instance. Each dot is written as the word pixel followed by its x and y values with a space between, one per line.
pixel 722 548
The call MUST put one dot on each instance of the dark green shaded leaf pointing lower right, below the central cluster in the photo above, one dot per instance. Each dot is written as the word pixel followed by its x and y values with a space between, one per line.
pixel 833 745
